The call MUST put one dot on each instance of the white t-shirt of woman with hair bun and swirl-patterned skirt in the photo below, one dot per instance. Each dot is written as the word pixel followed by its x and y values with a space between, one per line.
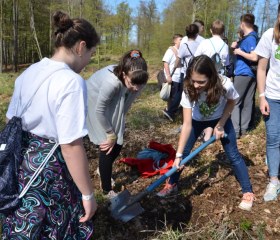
pixel 58 109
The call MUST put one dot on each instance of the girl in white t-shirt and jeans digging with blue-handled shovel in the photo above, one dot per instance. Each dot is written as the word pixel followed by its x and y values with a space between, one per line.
pixel 207 101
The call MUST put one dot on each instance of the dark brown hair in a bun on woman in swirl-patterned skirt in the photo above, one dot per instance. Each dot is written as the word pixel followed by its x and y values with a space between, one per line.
pixel 67 31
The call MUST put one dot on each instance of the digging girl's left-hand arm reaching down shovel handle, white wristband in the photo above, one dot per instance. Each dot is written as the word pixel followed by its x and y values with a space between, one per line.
pixel 184 136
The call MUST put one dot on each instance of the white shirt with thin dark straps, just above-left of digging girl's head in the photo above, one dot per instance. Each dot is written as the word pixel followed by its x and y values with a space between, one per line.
pixel 185 53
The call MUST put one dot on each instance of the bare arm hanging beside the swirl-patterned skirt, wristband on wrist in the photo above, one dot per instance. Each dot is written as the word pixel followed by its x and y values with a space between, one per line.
pixel 77 164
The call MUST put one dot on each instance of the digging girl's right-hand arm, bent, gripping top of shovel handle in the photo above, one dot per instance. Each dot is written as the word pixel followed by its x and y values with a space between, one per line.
pixel 219 128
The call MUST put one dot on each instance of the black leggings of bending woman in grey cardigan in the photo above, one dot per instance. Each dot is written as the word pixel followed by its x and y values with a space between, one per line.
pixel 106 165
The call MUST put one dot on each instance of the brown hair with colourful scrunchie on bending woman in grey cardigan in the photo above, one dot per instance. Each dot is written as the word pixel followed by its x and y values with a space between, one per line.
pixel 132 63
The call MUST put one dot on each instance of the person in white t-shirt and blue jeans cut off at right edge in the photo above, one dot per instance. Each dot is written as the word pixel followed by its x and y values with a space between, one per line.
pixel 268 50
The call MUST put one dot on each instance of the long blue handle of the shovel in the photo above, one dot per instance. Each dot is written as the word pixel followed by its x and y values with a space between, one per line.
pixel 184 161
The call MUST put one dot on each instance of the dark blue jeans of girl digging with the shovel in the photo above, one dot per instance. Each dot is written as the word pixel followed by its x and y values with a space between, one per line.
pixel 230 147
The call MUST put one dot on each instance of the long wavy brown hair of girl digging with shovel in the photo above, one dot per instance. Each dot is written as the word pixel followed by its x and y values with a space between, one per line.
pixel 204 65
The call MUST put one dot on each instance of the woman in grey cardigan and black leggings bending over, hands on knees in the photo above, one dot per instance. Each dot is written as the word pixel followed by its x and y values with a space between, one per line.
pixel 111 91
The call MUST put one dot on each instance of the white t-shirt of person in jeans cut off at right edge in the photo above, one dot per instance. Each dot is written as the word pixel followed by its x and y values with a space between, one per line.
pixel 269 49
